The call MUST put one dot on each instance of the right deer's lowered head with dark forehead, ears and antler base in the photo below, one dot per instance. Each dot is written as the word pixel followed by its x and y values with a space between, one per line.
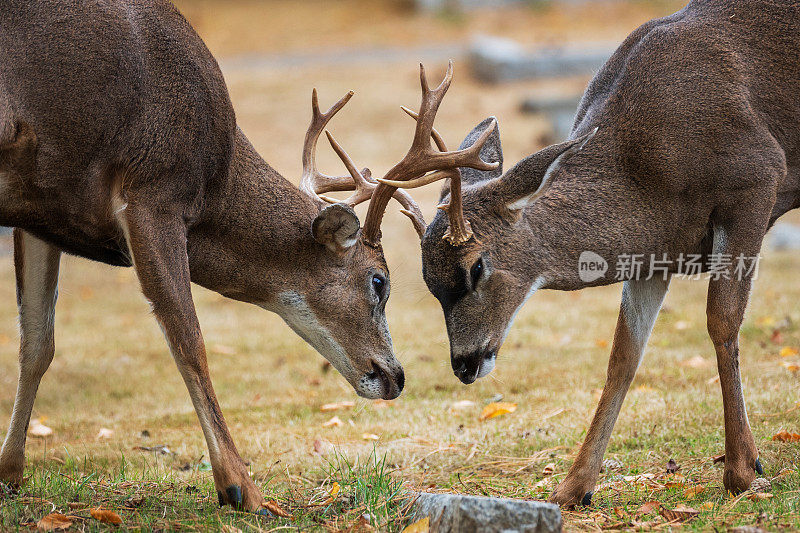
pixel 476 254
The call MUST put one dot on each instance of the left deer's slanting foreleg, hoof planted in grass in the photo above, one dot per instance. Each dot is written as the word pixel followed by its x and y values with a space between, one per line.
pixel 158 248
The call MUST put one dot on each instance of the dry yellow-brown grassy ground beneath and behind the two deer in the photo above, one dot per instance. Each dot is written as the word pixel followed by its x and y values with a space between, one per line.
pixel 112 370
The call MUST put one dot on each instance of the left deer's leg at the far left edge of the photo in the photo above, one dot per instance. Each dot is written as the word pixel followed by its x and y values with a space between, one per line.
pixel 36 263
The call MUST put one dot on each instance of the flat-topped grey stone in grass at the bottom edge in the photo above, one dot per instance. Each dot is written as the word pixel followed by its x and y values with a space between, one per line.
pixel 456 512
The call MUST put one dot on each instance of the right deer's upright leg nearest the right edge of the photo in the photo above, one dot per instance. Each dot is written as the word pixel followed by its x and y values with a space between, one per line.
pixel 727 300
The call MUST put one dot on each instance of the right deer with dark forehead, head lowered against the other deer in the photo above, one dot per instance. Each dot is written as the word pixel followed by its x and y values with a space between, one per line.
pixel 686 142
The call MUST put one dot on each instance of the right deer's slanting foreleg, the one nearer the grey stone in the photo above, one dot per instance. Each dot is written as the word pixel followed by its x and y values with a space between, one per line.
pixel 641 301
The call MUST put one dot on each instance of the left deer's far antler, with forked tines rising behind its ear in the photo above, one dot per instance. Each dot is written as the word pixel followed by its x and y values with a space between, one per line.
pixel 314 183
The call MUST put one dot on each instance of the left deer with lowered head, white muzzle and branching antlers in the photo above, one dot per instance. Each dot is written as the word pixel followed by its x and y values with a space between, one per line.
pixel 125 150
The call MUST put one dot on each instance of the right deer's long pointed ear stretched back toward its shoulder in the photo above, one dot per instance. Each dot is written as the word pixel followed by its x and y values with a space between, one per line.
pixel 529 179
